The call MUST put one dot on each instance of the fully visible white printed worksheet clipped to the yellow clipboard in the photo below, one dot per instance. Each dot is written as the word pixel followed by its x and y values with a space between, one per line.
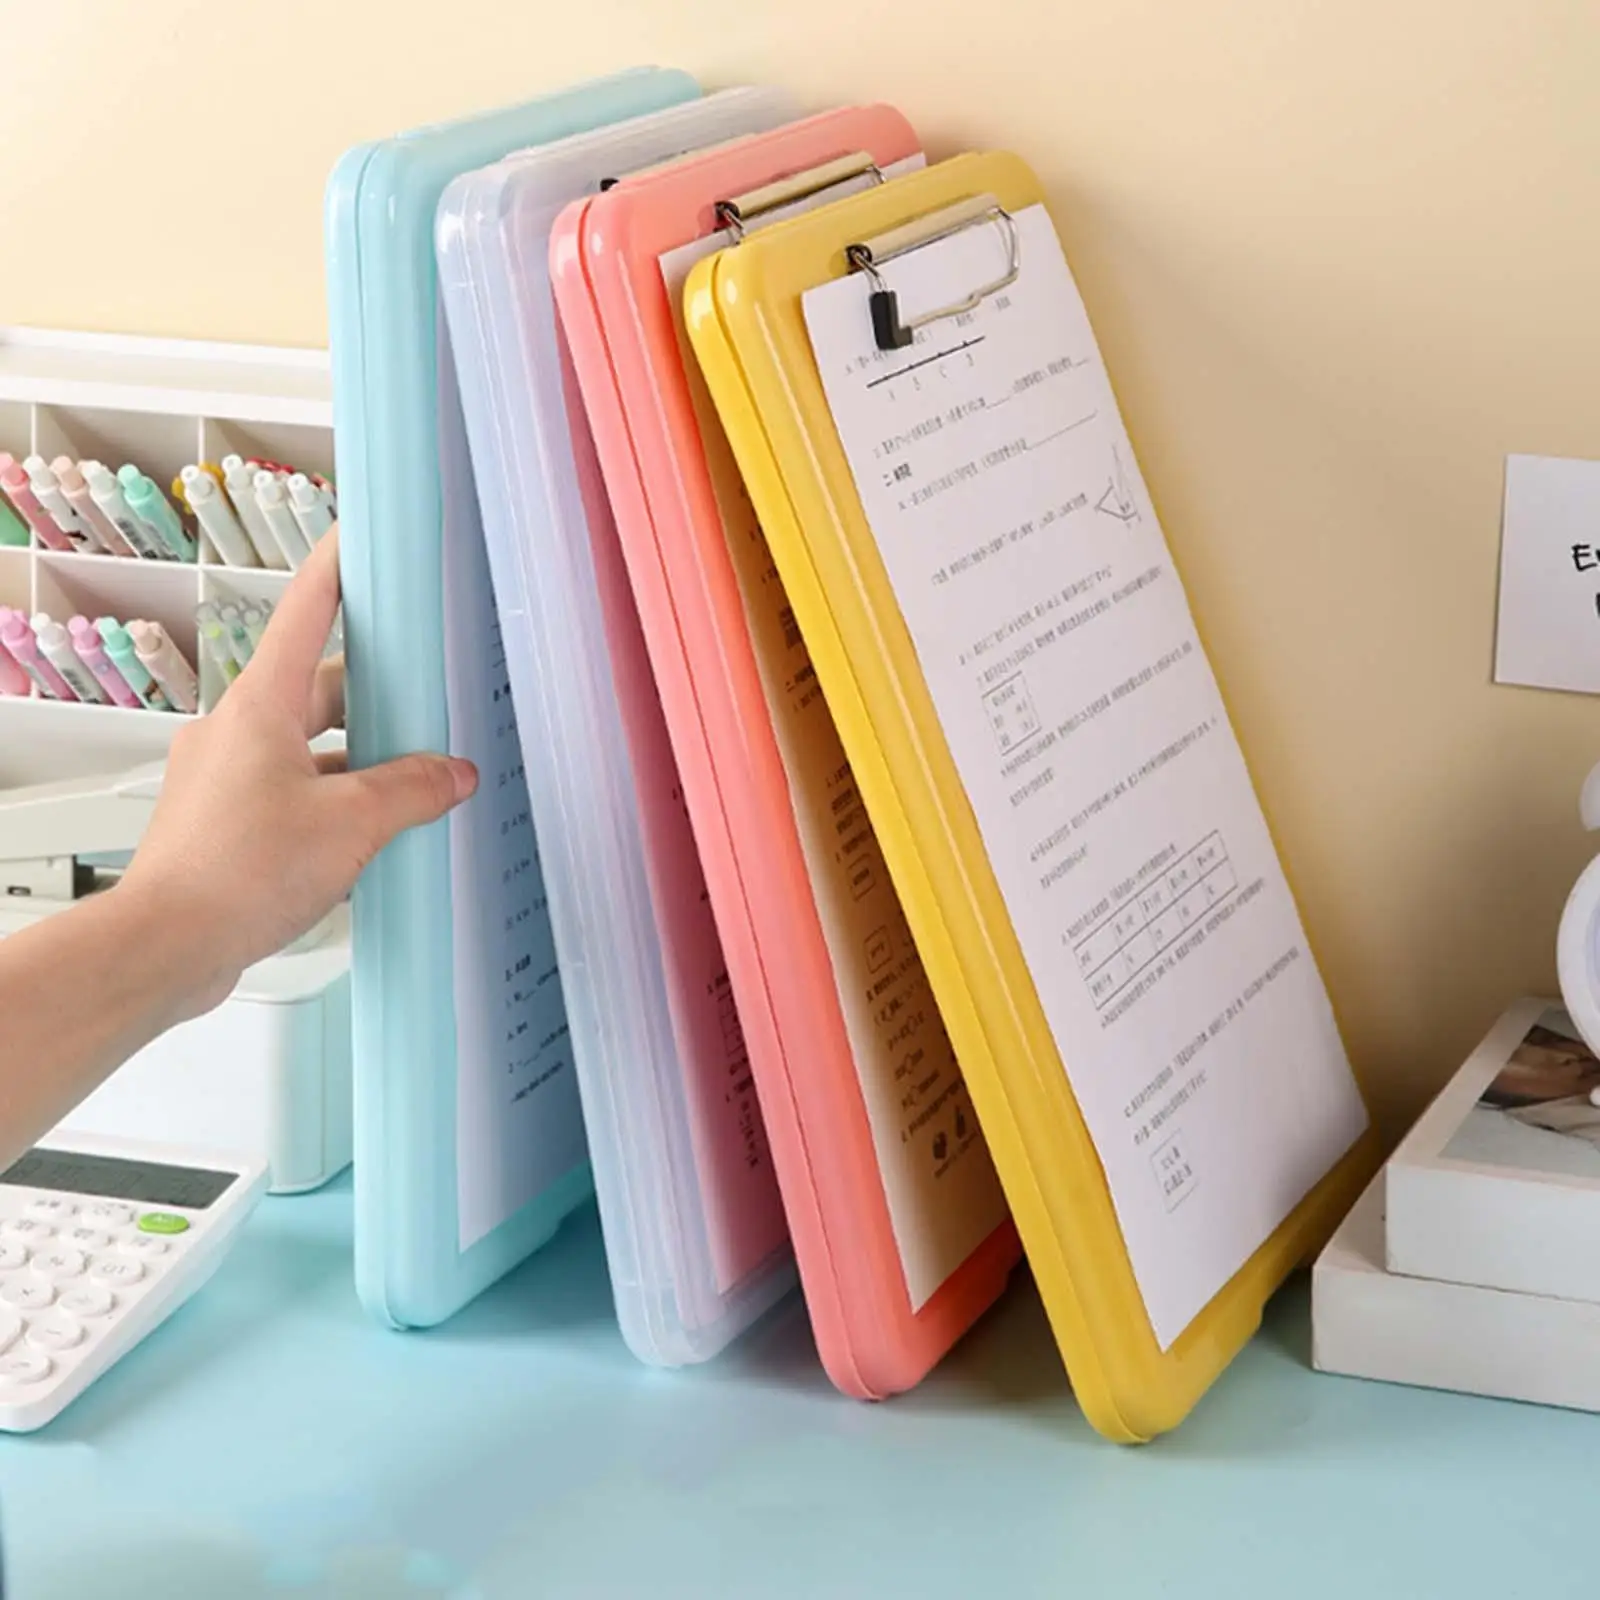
pixel 1089 732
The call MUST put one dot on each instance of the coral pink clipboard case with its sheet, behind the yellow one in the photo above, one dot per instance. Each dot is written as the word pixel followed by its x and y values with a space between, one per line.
pixel 897 1260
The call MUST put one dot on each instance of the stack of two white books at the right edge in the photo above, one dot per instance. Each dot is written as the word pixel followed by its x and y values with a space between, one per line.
pixel 1473 1263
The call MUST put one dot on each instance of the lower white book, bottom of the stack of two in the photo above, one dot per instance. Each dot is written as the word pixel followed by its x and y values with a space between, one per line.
pixel 1374 1324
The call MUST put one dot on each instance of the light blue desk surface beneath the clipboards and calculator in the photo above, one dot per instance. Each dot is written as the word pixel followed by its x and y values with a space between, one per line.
pixel 271 1441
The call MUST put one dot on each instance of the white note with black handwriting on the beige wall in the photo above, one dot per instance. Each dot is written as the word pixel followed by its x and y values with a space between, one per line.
pixel 1550 601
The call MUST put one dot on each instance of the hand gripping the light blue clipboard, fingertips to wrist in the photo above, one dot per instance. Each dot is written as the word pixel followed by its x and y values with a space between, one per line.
pixel 255 839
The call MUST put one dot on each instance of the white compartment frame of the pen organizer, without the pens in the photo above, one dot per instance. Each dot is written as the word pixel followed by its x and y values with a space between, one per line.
pixel 161 406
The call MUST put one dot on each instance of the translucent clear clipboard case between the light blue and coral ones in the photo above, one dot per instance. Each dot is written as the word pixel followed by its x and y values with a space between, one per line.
pixel 697 1244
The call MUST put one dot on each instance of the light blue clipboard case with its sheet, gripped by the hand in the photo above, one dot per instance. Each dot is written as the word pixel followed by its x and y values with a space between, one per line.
pixel 439 1217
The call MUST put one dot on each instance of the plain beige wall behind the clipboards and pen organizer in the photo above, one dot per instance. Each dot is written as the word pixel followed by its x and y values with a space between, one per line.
pixel 1342 255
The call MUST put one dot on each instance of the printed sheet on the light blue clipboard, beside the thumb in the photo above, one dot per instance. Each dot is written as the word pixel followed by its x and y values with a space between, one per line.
pixel 519 1124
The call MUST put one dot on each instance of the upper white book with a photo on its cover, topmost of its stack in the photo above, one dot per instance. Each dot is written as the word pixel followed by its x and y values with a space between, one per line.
pixel 1498 1185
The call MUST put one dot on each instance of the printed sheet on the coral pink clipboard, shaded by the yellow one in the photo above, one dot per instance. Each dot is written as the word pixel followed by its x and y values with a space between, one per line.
pixel 943 1194
